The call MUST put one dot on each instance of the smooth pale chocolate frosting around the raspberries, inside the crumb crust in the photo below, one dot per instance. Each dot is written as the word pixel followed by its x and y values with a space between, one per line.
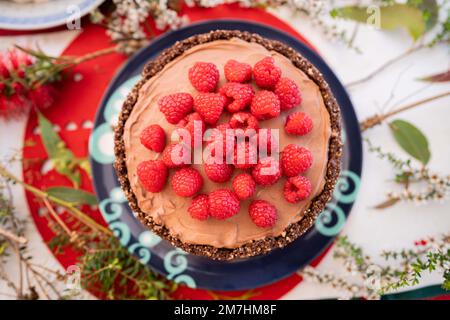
pixel 170 210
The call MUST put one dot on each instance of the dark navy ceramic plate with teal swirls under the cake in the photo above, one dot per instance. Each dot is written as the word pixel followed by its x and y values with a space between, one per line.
pixel 197 271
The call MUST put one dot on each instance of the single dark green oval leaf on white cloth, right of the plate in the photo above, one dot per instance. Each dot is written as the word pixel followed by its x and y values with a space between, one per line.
pixel 411 139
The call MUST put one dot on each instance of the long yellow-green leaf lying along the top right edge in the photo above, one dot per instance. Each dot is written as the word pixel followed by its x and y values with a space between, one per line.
pixel 391 17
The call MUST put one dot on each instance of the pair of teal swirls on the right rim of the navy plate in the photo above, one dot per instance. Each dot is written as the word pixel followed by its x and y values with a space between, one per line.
pixel 331 220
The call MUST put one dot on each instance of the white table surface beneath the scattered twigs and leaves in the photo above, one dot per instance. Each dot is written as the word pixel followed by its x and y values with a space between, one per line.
pixel 394 228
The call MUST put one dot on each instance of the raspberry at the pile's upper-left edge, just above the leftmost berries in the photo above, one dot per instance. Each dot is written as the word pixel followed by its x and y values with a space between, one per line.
pixel 176 106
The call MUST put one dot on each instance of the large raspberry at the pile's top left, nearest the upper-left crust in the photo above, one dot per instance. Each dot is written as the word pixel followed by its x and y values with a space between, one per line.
pixel 204 76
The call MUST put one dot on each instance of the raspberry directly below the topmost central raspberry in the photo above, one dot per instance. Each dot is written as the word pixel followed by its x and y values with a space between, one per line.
pixel 239 94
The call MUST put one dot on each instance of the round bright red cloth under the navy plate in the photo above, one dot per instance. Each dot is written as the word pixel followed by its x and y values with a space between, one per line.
pixel 78 102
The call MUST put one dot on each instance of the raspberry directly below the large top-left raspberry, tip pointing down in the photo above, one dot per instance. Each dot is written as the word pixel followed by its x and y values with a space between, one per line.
pixel 210 106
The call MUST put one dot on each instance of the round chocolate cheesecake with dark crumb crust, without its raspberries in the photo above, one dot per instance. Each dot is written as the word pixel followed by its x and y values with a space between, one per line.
pixel 165 212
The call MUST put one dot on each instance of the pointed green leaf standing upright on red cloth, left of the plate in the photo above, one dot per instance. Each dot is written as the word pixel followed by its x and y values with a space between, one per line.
pixel 62 158
